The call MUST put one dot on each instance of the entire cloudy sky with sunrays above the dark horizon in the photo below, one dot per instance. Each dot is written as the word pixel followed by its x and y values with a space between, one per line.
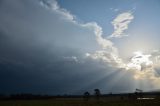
pixel 72 46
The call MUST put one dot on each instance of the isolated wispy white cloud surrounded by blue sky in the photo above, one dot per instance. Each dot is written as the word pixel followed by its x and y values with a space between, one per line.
pixel 121 23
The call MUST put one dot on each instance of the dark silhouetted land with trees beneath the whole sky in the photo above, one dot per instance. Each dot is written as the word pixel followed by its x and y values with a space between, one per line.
pixel 124 99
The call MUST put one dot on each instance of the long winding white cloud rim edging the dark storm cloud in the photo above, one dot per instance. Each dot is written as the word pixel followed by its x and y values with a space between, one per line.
pixel 109 53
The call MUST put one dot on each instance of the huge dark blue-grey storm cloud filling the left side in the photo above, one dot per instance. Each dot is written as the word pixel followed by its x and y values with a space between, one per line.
pixel 36 50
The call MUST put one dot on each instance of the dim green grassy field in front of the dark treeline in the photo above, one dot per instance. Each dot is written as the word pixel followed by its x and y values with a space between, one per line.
pixel 80 102
